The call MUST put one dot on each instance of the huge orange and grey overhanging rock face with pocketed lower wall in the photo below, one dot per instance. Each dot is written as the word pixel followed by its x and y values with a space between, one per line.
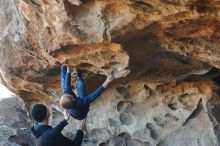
pixel 170 97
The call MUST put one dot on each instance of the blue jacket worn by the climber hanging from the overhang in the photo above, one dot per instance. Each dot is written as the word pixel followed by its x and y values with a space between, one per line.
pixel 80 108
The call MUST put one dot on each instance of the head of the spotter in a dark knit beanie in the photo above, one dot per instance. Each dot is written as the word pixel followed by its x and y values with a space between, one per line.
pixel 39 113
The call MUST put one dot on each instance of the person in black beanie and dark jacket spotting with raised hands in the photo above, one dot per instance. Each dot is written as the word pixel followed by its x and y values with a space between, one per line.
pixel 46 135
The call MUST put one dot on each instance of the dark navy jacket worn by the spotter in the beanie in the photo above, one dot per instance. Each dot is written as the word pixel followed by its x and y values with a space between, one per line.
pixel 47 136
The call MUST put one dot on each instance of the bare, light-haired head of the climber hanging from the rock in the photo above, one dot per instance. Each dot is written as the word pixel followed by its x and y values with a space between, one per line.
pixel 67 101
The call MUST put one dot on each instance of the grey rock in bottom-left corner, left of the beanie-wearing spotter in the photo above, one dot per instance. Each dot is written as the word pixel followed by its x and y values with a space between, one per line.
pixel 14 129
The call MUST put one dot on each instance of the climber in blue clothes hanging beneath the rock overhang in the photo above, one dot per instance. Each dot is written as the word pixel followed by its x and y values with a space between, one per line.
pixel 78 107
